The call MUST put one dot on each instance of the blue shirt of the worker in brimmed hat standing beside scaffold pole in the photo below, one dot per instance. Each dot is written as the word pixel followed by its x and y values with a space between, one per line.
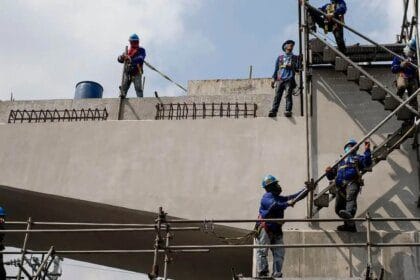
pixel 285 67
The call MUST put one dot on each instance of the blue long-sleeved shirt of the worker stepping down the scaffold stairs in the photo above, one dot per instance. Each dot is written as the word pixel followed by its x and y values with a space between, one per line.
pixel 347 169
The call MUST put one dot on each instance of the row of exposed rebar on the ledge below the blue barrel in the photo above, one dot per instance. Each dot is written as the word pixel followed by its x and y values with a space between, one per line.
pixel 39 116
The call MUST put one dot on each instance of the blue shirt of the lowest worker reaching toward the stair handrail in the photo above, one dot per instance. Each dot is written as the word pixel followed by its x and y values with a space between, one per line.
pixel 272 206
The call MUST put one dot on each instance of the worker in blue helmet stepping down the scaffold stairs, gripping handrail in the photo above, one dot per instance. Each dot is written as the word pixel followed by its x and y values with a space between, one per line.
pixel 348 181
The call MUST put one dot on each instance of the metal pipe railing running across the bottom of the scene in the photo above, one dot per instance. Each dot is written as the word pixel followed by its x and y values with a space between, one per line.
pixel 163 228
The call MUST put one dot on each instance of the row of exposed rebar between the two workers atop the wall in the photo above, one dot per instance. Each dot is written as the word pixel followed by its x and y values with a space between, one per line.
pixel 180 111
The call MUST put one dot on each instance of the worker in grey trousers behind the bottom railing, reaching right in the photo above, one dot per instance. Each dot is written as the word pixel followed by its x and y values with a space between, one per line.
pixel 272 206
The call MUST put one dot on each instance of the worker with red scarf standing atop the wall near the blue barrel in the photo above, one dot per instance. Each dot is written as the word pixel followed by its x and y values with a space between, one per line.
pixel 133 71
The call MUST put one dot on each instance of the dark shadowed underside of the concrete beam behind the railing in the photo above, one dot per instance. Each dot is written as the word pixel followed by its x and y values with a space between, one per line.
pixel 216 264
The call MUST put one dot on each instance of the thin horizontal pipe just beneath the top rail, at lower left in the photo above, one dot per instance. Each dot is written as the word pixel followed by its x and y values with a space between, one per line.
pixel 91 230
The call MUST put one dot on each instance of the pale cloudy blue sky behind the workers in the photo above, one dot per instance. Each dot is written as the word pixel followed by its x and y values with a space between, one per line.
pixel 48 46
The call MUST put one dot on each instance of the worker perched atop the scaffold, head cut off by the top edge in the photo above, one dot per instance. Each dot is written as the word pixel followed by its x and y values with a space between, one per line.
pixel 335 9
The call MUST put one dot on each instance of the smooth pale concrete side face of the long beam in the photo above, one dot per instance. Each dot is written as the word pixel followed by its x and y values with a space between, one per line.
pixel 142 165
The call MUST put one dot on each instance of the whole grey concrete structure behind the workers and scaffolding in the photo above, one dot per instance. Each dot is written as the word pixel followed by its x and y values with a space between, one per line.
pixel 196 169
